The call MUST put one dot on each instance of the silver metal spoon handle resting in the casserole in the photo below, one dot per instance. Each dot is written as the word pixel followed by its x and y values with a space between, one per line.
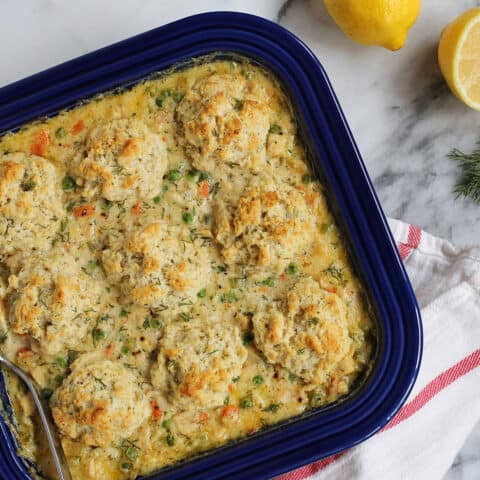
pixel 46 417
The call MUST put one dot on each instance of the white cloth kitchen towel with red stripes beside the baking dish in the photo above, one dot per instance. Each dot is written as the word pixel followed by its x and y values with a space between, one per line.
pixel 423 438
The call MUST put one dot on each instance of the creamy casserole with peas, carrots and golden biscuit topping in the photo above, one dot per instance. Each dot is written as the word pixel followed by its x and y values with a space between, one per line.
pixel 170 272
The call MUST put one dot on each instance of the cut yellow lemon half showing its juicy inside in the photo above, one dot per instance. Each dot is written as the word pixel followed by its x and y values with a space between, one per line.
pixel 459 57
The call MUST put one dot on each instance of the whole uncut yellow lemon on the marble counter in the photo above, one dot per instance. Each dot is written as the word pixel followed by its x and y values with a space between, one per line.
pixel 375 22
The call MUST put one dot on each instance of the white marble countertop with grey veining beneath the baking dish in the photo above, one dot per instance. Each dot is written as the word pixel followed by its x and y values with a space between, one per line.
pixel 401 113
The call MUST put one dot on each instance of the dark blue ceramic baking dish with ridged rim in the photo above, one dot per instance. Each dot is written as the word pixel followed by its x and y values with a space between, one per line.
pixel 334 157
